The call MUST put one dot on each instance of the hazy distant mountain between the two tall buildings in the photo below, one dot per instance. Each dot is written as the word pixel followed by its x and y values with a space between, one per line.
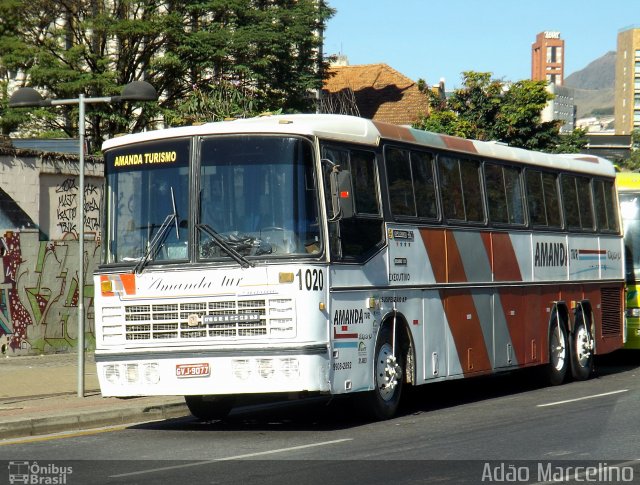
pixel 594 86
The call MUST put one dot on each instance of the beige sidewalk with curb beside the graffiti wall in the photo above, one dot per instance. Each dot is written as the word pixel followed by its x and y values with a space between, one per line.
pixel 39 395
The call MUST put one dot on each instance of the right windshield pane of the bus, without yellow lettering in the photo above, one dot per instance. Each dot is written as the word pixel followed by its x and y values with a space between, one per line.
pixel 258 197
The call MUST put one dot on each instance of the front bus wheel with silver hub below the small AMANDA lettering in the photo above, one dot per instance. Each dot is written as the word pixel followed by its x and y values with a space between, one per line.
pixel 382 403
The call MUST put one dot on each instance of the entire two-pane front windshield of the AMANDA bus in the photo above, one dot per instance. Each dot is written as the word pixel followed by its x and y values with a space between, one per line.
pixel 256 197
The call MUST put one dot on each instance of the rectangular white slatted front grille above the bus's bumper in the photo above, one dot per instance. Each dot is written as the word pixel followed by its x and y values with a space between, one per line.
pixel 272 318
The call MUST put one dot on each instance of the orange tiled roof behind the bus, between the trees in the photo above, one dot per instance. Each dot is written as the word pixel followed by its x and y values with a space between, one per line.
pixel 381 93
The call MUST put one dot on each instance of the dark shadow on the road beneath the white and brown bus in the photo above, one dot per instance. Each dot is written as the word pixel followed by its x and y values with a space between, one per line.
pixel 341 412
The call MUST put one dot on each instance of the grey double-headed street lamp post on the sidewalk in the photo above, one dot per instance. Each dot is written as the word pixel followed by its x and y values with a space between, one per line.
pixel 30 98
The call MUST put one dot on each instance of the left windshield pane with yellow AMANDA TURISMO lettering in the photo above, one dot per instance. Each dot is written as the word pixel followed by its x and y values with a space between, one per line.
pixel 147 202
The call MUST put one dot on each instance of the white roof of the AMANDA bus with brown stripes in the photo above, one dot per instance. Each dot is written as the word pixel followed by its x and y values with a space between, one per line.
pixel 367 132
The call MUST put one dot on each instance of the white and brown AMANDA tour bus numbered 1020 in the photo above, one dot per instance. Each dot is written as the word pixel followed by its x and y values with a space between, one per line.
pixel 337 255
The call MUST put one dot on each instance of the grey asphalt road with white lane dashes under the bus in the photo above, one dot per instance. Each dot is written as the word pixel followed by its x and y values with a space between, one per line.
pixel 498 429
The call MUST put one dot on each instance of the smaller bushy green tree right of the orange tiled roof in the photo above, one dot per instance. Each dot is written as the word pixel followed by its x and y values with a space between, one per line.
pixel 488 109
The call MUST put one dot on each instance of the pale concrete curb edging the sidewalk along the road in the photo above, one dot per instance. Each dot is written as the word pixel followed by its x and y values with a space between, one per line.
pixel 22 428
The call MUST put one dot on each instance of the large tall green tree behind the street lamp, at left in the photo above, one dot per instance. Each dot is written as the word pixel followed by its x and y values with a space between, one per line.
pixel 262 54
